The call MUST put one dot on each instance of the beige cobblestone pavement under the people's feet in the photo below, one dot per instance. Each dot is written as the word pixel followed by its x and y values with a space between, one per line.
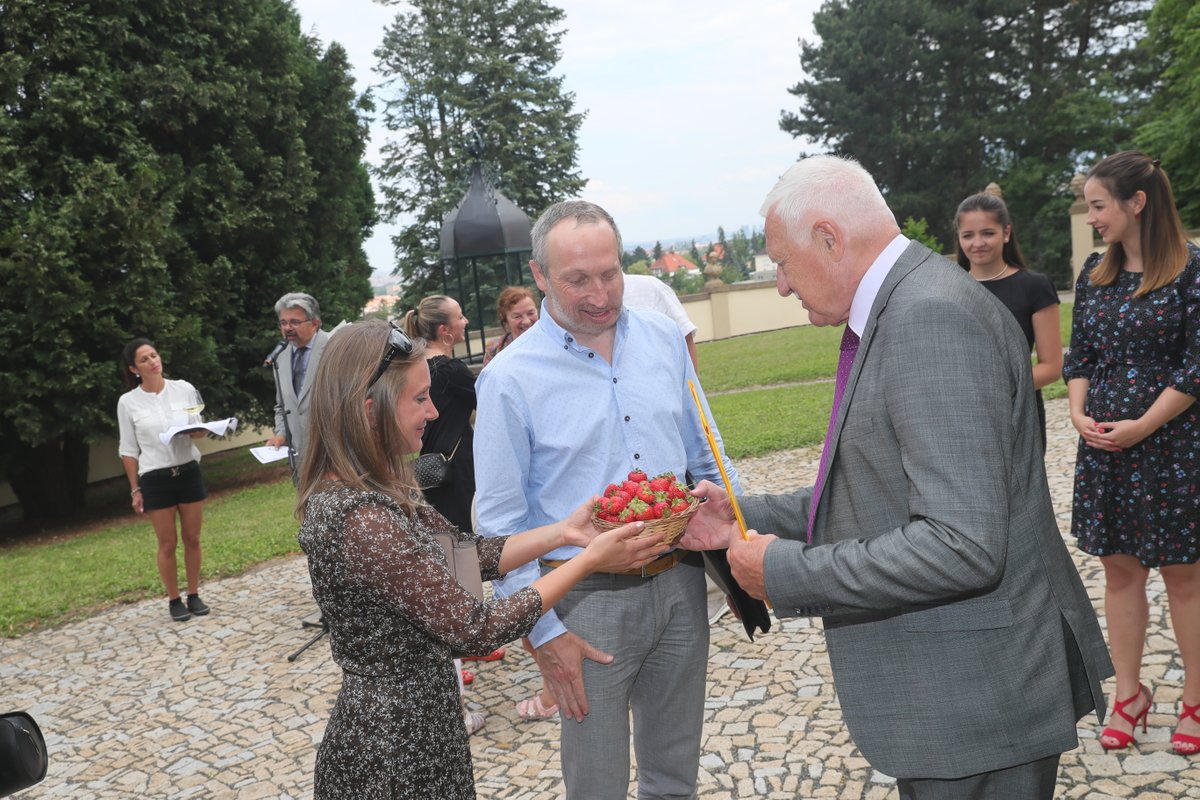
pixel 135 706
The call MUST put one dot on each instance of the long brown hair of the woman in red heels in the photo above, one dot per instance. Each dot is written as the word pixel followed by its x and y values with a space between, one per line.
pixel 1165 250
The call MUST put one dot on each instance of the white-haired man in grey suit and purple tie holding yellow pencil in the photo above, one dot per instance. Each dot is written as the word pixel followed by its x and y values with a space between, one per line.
pixel 963 645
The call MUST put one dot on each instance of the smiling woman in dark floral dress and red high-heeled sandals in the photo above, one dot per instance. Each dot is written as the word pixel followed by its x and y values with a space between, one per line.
pixel 1133 375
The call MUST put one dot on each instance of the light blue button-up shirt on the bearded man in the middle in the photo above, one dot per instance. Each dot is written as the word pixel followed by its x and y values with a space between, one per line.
pixel 556 424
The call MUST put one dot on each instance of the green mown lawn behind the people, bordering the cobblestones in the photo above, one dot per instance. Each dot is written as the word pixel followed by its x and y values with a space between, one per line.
pixel 61 576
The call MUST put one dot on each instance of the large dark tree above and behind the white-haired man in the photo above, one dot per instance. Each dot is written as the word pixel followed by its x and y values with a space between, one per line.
pixel 939 98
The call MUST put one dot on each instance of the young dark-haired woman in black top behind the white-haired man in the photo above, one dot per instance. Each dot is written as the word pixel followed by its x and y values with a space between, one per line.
pixel 989 251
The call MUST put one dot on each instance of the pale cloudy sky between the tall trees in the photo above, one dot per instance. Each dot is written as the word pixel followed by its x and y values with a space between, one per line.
pixel 682 99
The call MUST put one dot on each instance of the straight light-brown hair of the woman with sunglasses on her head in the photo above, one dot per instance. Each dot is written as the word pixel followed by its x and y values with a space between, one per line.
pixel 364 450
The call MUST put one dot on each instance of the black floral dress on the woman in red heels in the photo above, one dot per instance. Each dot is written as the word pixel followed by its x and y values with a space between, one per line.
pixel 1145 501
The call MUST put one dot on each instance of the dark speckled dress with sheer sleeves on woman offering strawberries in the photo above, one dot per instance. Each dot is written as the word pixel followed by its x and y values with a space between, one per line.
pixel 397 618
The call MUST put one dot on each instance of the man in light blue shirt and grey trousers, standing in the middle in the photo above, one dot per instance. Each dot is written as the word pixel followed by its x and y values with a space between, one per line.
pixel 591 393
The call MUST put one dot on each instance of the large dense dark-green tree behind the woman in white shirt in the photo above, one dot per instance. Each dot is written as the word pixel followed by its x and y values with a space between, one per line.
pixel 161 175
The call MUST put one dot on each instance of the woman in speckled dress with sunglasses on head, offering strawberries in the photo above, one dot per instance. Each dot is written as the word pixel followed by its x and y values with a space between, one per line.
pixel 397 615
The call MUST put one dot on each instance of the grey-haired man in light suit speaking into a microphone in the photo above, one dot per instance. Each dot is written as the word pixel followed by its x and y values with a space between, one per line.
pixel 301 326
